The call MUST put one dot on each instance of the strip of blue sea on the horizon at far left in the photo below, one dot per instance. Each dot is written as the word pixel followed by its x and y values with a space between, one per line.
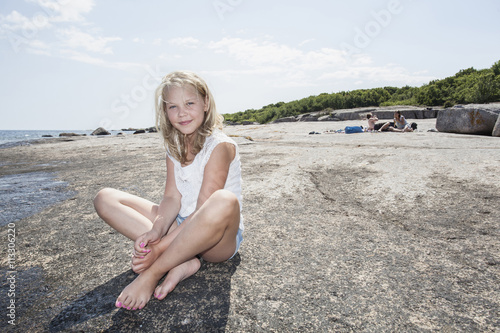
pixel 9 138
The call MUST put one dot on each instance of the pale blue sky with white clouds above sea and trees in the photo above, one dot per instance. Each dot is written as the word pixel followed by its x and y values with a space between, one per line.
pixel 67 64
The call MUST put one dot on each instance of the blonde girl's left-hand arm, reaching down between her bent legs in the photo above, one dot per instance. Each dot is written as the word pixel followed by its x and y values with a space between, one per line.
pixel 167 211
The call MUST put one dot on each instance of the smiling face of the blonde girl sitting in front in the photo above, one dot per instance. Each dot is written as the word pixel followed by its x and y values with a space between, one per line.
pixel 185 108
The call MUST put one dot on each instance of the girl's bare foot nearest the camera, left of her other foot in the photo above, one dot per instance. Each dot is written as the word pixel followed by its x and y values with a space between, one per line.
pixel 137 294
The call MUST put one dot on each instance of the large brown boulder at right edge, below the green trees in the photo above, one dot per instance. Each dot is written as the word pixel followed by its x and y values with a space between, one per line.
pixel 471 119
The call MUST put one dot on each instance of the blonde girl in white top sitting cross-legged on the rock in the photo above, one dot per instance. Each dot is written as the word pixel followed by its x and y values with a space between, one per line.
pixel 200 212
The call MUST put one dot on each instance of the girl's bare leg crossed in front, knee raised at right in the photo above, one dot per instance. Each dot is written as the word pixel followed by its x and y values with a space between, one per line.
pixel 211 232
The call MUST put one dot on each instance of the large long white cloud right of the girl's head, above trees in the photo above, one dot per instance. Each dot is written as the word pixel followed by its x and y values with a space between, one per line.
pixel 287 66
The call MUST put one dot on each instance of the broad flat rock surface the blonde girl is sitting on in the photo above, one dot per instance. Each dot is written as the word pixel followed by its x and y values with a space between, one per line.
pixel 368 232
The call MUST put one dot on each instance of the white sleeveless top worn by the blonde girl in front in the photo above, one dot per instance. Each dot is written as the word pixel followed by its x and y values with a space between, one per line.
pixel 188 179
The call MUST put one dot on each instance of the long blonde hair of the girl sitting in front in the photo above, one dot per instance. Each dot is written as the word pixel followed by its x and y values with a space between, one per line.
pixel 174 140
